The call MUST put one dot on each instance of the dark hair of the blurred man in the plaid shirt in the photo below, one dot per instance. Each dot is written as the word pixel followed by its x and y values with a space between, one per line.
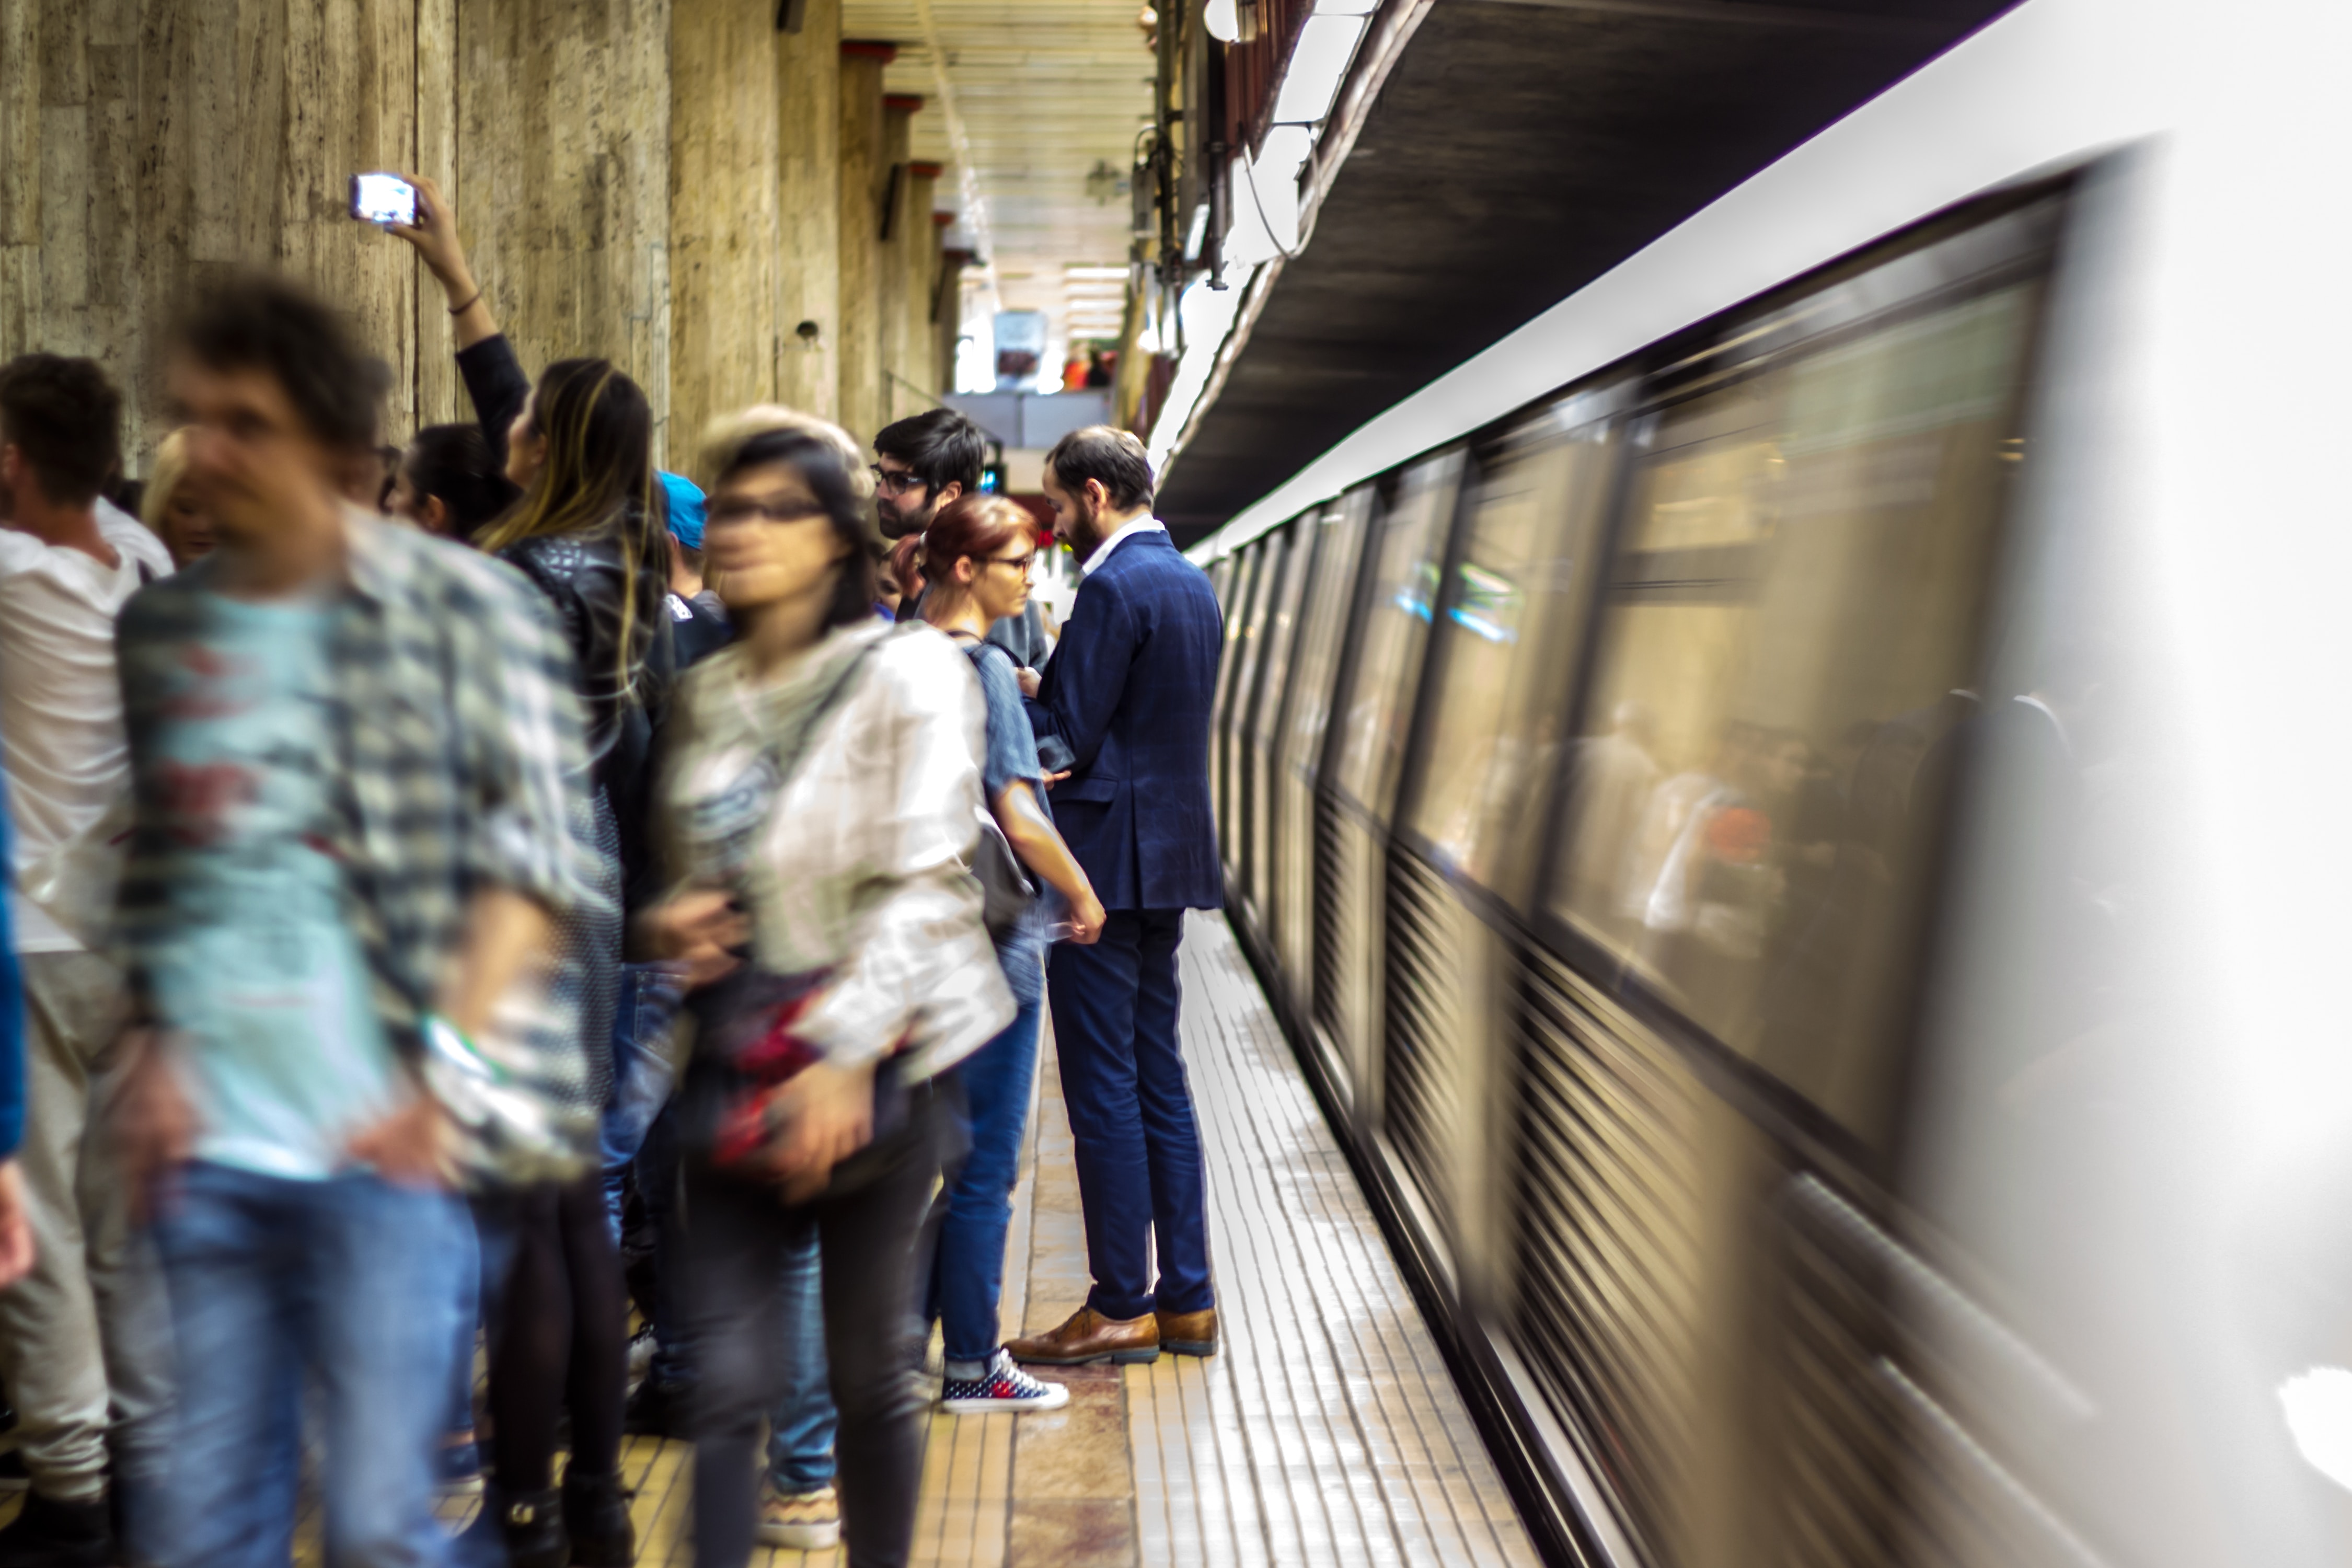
pixel 272 326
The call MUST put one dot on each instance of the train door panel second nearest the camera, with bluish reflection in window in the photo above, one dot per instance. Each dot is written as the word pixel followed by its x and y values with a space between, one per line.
pixel 1474 808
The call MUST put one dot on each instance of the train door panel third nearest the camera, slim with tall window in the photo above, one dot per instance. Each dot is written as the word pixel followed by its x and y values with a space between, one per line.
pixel 1372 716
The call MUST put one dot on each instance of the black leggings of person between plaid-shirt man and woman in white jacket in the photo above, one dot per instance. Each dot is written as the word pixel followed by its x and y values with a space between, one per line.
pixel 561 1339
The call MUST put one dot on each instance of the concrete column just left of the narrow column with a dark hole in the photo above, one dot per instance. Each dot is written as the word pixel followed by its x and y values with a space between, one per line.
pixel 723 213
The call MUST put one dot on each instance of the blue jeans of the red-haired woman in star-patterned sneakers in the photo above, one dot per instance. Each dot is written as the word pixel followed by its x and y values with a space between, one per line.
pixel 968 1275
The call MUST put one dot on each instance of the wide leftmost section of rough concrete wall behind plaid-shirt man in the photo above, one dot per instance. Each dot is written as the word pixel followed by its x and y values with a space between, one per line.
pixel 145 145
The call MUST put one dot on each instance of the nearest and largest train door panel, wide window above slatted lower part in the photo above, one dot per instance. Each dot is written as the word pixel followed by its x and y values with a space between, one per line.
pixel 1713 1043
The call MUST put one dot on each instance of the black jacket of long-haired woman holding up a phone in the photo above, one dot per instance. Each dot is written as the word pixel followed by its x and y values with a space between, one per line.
pixel 582 575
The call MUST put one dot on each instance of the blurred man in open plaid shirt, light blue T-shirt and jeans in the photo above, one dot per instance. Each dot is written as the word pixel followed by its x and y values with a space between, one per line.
pixel 352 751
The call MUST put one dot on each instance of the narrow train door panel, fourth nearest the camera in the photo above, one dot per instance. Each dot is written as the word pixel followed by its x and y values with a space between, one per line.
pixel 1325 608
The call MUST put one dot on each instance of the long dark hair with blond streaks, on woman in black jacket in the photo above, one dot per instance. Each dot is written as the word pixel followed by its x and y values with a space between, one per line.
pixel 599 476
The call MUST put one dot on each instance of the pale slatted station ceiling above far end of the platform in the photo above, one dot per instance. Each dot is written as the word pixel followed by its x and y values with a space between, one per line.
pixel 1024 105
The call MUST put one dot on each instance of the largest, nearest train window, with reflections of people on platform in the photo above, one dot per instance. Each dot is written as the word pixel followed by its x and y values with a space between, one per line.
pixel 1789 636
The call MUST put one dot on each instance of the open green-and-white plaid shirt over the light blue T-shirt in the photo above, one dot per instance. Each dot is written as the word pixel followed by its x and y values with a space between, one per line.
pixel 457 735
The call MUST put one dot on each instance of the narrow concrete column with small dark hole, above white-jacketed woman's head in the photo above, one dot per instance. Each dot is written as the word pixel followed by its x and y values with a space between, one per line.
pixel 810 210
